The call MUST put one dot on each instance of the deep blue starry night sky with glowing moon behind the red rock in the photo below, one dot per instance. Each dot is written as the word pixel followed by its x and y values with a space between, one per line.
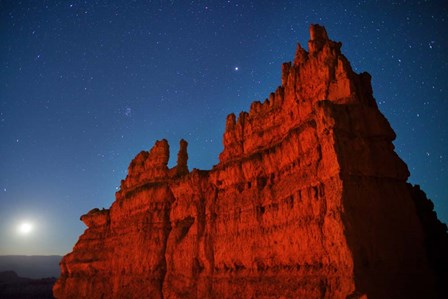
pixel 86 85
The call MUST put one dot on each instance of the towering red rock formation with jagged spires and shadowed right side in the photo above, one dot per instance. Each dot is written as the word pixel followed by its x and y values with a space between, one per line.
pixel 309 200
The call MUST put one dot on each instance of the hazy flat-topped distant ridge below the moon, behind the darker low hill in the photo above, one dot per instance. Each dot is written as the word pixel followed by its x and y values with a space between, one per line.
pixel 31 266
